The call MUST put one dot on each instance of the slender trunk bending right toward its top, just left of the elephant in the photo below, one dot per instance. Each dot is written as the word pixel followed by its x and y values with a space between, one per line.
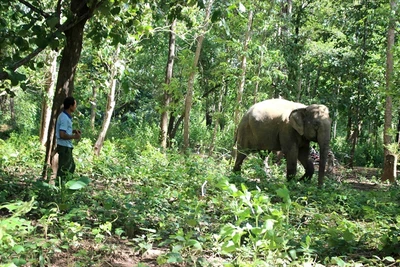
pixel 189 95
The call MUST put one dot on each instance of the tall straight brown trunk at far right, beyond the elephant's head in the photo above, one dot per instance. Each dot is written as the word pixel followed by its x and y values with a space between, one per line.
pixel 388 172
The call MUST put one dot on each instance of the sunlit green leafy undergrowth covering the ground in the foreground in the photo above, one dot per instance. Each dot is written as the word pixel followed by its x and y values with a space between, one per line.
pixel 138 206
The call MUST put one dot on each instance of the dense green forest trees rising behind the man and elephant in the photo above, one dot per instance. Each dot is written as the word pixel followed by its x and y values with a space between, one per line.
pixel 311 52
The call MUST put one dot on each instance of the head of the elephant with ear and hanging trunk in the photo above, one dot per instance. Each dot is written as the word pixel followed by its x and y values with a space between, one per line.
pixel 313 123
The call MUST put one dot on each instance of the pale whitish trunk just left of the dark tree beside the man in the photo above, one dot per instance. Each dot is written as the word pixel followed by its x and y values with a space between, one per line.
pixel 50 79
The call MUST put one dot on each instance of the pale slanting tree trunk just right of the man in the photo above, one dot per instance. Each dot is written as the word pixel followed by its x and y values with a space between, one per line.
pixel 110 104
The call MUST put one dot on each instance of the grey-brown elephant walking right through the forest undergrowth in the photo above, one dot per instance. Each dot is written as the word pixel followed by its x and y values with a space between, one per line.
pixel 289 127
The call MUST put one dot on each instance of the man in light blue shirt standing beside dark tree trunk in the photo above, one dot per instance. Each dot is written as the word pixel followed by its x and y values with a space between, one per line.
pixel 64 136
